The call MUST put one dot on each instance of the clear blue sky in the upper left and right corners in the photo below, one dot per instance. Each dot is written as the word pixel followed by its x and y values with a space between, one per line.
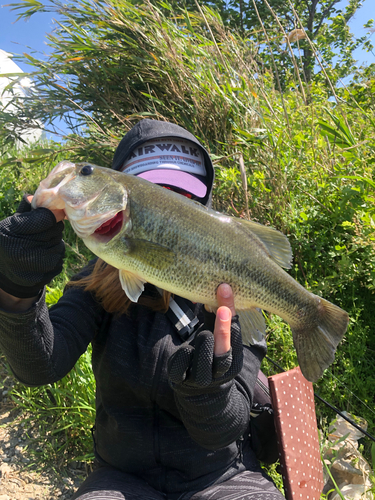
pixel 25 36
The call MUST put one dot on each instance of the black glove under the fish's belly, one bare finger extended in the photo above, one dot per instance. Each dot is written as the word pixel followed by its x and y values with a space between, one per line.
pixel 194 369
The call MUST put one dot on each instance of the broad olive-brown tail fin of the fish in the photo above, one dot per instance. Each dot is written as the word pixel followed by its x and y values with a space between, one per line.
pixel 316 343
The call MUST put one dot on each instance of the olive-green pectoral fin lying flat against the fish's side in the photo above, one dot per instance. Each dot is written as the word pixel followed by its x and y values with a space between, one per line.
pixel 152 254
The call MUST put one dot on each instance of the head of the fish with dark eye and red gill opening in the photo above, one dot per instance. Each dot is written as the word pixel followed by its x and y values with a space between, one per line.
pixel 91 196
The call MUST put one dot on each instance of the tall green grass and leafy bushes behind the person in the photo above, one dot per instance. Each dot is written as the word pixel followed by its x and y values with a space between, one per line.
pixel 301 161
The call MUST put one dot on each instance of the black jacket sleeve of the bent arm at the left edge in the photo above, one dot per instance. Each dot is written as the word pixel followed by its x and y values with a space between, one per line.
pixel 43 345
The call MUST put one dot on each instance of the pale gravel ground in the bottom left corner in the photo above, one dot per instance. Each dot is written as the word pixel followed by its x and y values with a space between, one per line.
pixel 20 479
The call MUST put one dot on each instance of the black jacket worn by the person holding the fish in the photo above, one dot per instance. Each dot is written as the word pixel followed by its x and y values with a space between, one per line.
pixel 138 426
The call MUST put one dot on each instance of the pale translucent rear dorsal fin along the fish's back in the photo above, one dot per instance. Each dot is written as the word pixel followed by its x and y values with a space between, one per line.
pixel 275 242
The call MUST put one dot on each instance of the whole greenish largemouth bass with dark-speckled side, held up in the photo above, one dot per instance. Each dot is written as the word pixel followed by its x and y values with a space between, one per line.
pixel 154 235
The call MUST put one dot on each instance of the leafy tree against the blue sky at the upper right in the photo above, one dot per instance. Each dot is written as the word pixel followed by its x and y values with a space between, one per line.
pixel 274 24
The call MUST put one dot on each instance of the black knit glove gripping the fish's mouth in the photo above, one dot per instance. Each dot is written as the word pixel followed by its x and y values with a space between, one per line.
pixel 31 250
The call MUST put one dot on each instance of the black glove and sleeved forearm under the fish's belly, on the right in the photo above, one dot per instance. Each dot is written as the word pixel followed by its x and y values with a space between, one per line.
pixel 214 409
